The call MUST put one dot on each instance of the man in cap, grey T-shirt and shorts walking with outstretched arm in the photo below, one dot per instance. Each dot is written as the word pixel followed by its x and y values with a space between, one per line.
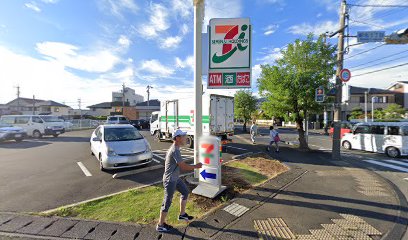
pixel 172 181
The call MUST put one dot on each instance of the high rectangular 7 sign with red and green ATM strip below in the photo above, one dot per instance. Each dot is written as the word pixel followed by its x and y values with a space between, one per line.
pixel 229 53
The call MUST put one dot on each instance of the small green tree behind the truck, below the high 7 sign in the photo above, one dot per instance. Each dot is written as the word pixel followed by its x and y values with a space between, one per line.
pixel 244 106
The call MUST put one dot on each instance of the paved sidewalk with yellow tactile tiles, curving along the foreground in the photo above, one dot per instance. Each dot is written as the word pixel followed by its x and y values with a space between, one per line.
pixel 316 199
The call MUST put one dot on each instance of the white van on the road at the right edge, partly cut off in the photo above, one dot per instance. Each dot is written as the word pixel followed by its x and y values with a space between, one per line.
pixel 390 138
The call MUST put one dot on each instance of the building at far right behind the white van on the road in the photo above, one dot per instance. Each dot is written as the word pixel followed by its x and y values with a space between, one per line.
pixel 377 98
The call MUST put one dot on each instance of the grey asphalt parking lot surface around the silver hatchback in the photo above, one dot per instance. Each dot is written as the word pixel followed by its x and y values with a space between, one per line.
pixel 38 175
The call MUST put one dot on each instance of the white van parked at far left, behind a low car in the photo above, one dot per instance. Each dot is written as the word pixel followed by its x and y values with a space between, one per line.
pixel 36 125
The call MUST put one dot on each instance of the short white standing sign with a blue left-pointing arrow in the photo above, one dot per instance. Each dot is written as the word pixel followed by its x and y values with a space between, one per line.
pixel 210 174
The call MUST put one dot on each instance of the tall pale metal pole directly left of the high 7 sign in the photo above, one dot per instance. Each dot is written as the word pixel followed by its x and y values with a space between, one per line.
pixel 198 118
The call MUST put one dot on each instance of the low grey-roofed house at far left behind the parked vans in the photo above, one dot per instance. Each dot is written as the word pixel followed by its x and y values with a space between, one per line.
pixel 28 106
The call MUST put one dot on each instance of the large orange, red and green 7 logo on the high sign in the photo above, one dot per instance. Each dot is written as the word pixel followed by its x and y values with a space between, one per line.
pixel 230 44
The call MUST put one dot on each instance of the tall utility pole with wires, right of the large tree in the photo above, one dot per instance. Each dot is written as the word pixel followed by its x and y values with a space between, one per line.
pixel 340 58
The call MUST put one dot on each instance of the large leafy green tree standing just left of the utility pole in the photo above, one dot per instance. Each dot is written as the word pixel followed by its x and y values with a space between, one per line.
pixel 289 85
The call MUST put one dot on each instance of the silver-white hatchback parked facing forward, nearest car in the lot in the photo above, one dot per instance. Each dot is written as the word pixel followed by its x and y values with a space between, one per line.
pixel 120 146
